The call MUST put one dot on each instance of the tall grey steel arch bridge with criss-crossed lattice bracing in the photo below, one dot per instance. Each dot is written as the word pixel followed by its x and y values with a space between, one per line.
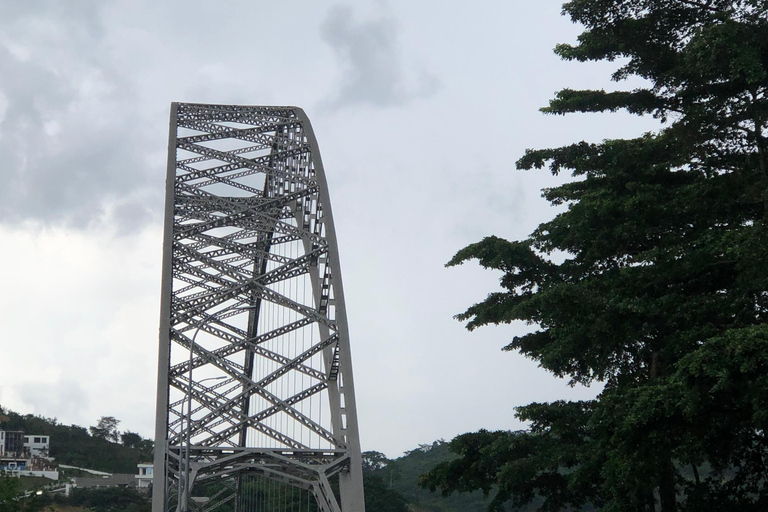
pixel 255 404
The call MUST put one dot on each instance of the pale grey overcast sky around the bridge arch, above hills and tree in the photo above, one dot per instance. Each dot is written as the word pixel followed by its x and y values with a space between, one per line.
pixel 420 110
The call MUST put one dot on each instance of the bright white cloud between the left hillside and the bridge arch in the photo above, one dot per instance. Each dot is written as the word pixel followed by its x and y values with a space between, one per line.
pixel 93 354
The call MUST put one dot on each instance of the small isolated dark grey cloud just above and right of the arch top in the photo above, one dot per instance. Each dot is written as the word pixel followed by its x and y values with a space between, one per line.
pixel 372 70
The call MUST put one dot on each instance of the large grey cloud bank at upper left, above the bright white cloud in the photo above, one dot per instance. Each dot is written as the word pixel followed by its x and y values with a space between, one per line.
pixel 69 143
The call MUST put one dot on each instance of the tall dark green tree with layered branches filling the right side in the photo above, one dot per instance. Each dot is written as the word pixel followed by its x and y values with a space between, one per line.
pixel 660 287
